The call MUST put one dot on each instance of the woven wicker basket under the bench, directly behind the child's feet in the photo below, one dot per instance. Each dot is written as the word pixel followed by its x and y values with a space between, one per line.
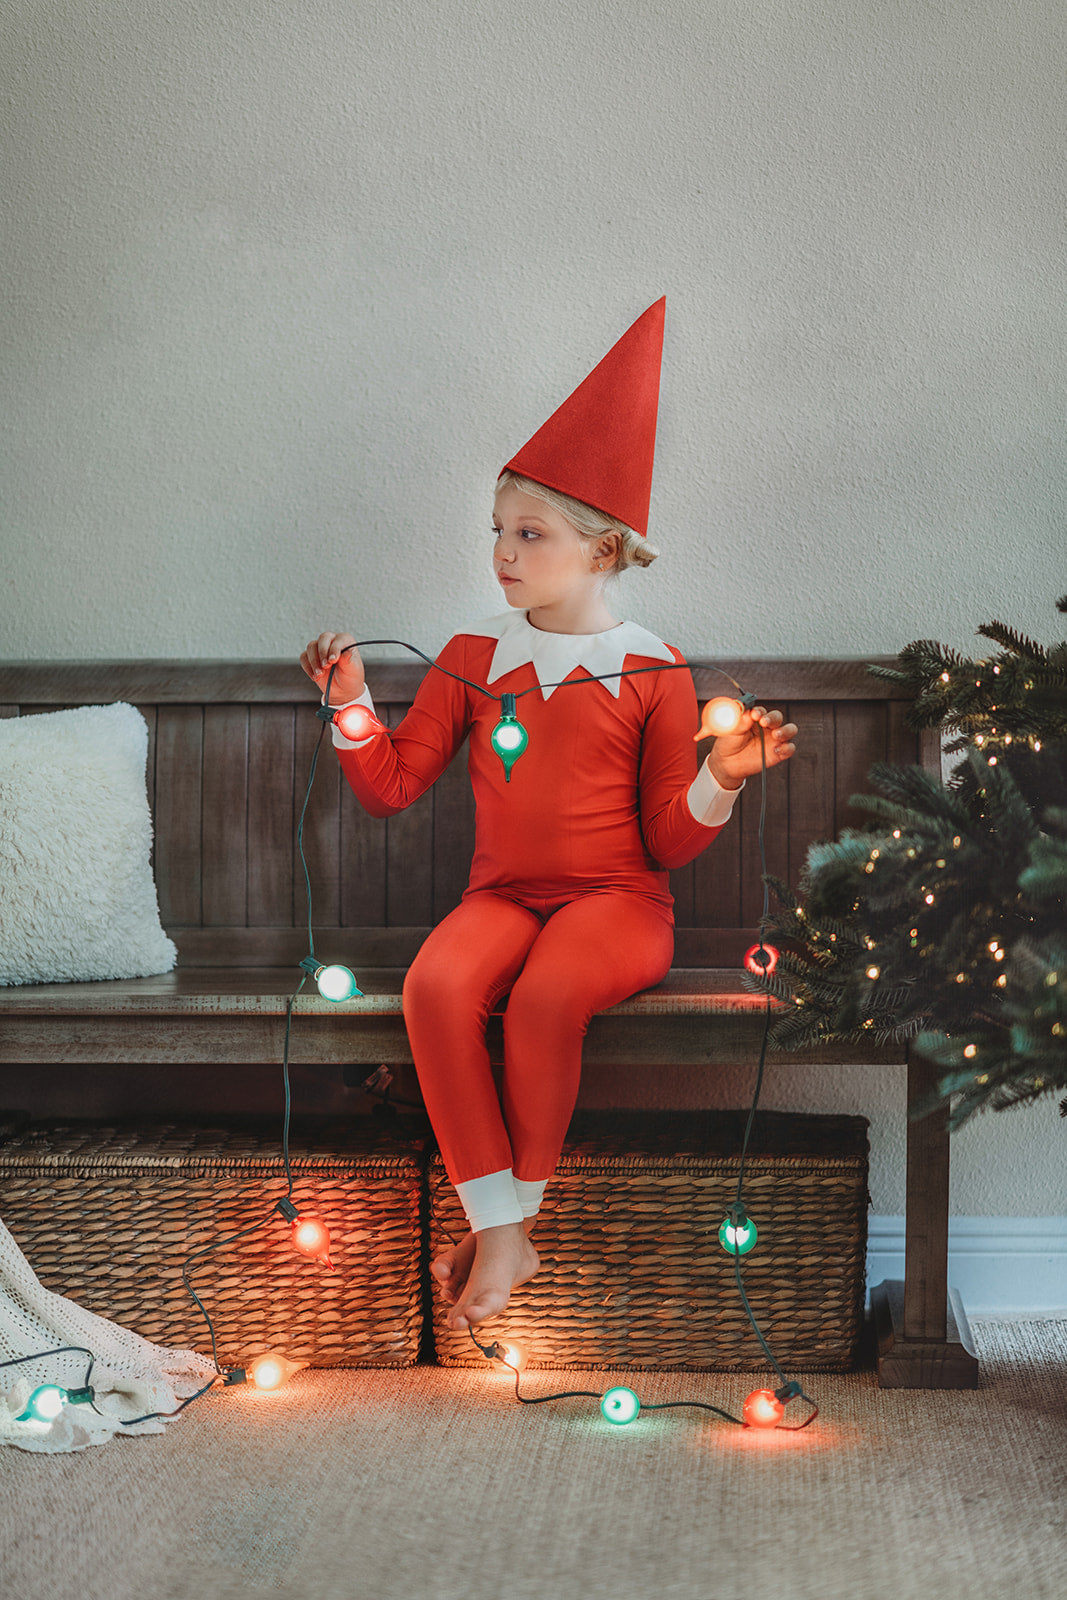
pixel 633 1273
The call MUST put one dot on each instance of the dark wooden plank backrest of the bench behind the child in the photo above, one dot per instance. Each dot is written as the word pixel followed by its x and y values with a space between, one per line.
pixel 230 756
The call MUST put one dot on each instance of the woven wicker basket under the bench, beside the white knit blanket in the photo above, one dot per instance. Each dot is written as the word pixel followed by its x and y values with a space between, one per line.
pixel 108 1215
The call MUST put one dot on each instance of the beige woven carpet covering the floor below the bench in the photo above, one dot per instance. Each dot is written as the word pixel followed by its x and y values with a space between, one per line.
pixel 436 1484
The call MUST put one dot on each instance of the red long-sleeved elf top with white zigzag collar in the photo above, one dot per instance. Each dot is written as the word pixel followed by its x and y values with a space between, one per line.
pixel 601 798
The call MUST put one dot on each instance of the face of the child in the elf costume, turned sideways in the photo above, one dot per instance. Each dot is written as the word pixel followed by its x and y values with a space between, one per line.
pixel 538 556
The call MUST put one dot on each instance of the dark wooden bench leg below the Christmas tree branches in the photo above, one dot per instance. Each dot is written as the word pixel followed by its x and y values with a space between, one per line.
pixel 924 1337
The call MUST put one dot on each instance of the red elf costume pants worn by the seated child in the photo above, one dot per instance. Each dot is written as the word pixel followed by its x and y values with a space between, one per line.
pixel 562 959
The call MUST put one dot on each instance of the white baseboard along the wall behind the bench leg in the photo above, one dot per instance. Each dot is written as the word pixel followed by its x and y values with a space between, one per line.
pixel 1004 1266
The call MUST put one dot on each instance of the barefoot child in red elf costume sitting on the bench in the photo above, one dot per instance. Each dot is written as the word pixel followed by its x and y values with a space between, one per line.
pixel 567 910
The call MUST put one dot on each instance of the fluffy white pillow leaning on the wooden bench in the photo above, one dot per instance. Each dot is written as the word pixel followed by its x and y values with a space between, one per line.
pixel 78 897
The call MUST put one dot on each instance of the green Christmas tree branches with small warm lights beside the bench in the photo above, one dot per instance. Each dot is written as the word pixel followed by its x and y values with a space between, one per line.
pixel 945 921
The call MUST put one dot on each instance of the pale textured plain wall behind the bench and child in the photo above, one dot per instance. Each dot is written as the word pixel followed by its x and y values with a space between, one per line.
pixel 284 284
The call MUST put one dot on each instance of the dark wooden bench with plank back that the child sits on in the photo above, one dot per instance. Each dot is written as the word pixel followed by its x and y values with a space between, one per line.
pixel 230 756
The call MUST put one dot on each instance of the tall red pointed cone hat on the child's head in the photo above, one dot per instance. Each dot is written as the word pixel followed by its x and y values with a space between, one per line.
pixel 599 447
